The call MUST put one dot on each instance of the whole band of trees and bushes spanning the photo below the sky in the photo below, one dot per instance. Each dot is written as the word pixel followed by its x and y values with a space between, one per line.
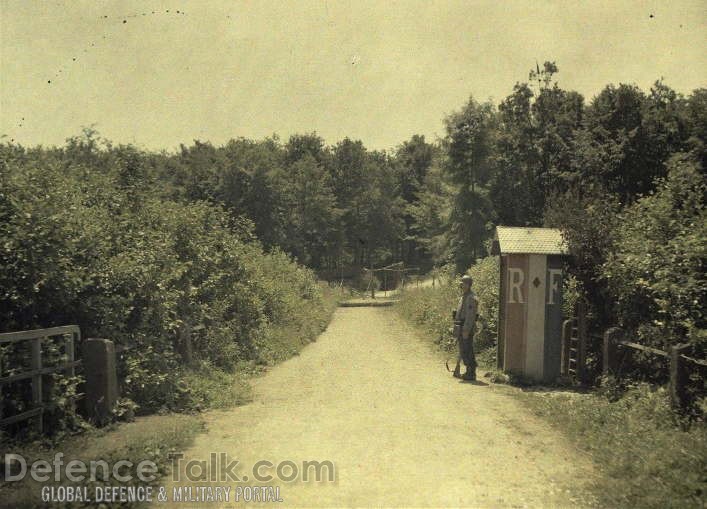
pixel 133 244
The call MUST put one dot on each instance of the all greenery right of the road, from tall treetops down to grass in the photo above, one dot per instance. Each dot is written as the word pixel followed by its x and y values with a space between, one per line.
pixel 623 178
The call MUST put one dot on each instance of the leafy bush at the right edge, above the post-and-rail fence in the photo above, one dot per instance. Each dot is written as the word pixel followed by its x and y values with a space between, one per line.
pixel 657 269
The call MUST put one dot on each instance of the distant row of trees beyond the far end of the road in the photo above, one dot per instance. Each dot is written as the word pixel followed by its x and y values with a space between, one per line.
pixel 331 207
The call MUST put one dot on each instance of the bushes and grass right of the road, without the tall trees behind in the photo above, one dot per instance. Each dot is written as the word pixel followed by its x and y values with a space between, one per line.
pixel 639 266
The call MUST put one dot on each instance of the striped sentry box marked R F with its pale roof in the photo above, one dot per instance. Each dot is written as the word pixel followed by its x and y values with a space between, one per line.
pixel 530 301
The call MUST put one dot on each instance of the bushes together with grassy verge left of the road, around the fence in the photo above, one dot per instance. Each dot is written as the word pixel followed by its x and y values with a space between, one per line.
pixel 90 235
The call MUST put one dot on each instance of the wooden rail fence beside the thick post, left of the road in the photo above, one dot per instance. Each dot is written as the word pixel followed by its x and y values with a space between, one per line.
pixel 71 335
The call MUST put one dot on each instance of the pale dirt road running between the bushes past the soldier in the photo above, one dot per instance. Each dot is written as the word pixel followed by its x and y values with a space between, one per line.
pixel 375 399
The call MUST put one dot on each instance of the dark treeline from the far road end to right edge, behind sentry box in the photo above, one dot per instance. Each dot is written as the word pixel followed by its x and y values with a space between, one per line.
pixel 621 174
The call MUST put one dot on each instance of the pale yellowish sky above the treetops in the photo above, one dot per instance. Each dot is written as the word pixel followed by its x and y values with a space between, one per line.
pixel 377 71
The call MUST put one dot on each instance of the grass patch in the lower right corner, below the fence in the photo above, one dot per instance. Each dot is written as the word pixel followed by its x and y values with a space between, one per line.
pixel 647 456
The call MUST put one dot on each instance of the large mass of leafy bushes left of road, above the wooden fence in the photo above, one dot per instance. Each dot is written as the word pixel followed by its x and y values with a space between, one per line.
pixel 91 239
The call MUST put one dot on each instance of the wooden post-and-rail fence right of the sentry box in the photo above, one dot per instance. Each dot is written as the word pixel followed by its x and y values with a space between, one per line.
pixel 679 364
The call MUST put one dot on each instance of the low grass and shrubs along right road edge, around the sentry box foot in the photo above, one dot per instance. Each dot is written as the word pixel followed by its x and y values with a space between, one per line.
pixel 648 456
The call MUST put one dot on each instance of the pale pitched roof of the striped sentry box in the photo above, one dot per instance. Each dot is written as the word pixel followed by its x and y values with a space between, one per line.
pixel 512 239
